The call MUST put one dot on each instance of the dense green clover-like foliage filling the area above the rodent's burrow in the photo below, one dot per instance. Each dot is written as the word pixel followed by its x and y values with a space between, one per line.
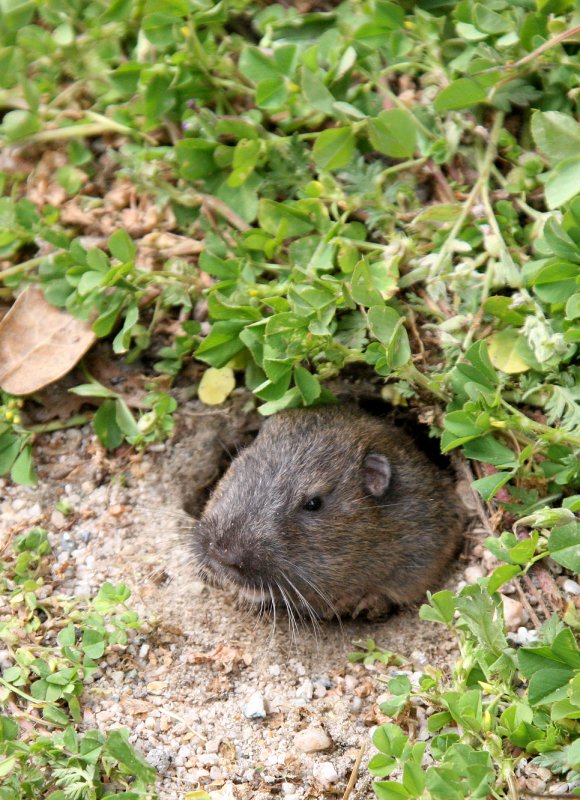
pixel 300 145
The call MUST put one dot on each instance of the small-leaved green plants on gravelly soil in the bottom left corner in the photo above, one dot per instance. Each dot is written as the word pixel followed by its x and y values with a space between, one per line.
pixel 47 678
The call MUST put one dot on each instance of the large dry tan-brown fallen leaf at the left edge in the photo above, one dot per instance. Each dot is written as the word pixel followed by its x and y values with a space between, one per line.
pixel 39 343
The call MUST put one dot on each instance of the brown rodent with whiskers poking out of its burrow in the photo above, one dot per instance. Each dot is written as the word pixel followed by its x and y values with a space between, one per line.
pixel 332 511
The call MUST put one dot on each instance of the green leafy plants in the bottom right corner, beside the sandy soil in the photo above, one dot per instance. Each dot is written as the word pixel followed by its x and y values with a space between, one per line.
pixel 500 706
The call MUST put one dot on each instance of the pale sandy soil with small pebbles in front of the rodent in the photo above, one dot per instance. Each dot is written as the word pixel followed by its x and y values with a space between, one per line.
pixel 214 697
